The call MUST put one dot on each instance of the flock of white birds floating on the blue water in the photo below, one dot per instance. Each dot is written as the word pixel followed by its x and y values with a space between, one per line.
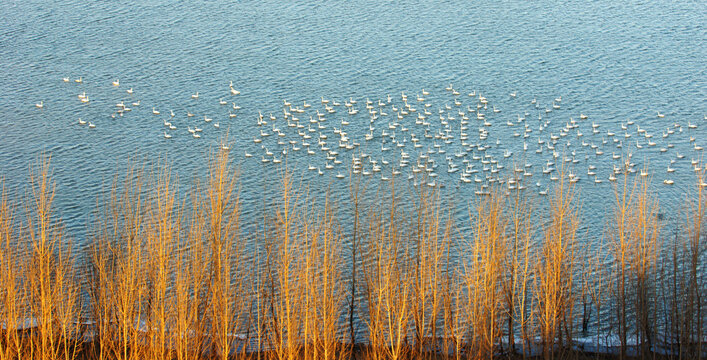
pixel 408 136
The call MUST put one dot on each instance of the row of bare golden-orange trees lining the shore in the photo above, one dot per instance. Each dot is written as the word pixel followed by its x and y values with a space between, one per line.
pixel 172 276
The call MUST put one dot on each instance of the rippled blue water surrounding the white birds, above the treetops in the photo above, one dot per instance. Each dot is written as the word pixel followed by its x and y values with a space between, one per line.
pixel 612 61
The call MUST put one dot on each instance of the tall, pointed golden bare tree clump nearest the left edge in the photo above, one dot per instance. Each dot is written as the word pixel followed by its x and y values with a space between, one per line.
pixel 53 300
